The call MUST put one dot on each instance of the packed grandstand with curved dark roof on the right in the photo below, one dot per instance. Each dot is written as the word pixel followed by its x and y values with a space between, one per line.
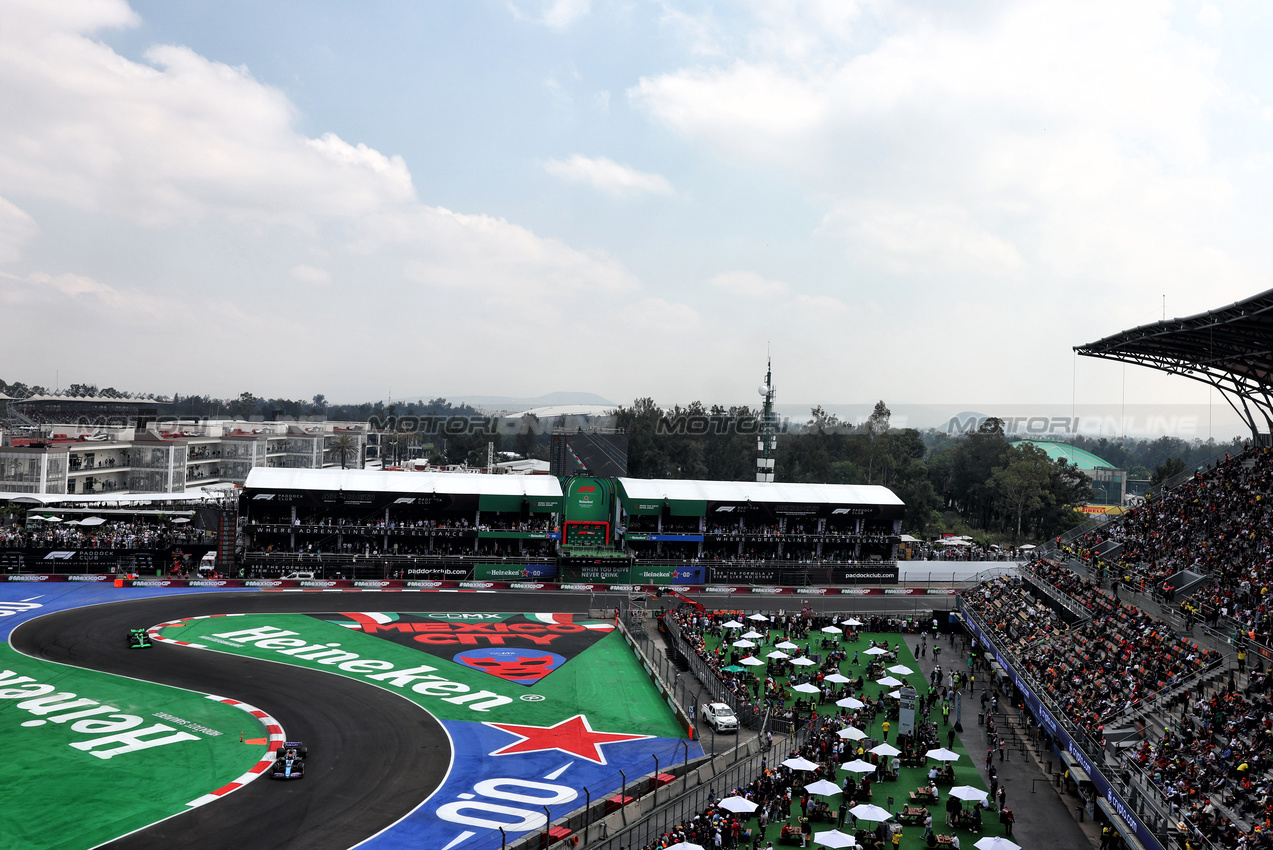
pixel 1144 646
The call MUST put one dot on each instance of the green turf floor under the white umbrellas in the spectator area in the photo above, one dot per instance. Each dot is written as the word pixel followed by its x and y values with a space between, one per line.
pixel 910 778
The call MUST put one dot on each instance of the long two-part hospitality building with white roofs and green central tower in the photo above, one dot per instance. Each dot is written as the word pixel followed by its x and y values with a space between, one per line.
pixel 375 525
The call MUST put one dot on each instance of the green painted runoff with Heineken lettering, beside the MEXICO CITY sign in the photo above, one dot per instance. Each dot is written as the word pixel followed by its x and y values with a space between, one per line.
pixel 605 680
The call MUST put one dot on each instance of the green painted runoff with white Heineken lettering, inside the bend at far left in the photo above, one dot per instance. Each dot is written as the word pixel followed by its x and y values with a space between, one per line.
pixel 73 774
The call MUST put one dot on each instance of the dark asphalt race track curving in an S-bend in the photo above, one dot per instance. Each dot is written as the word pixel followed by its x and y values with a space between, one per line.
pixel 374 755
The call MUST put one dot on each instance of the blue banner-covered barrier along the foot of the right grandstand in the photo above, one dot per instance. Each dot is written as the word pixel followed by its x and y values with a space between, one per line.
pixel 1148 823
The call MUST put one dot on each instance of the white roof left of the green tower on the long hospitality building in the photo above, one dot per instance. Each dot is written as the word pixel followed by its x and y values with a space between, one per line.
pixel 381 482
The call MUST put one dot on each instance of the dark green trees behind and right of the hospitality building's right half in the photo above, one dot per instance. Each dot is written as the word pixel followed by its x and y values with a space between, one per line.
pixel 978 480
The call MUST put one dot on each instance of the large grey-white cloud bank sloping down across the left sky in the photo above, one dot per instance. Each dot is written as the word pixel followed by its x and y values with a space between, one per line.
pixel 203 167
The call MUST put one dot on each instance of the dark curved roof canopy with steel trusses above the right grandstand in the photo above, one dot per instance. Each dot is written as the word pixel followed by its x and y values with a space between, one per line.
pixel 1230 349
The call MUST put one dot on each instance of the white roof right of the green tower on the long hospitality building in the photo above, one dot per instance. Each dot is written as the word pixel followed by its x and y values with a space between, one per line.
pixel 823 494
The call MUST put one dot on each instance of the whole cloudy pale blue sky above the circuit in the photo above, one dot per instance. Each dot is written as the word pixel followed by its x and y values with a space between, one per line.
pixel 907 200
